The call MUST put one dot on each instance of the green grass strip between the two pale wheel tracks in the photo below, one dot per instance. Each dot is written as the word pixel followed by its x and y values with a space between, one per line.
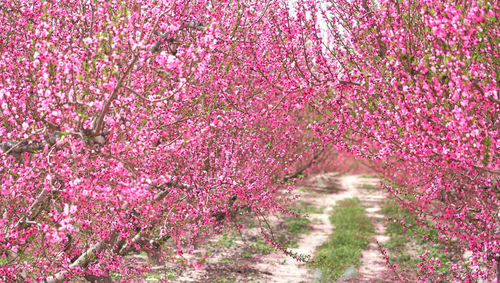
pixel 351 236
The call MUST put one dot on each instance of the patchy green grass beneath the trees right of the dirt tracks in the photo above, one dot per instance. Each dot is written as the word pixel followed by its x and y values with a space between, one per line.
pixel 399 247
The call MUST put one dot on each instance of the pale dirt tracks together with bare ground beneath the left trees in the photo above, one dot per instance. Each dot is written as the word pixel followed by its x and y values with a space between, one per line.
pixel 231 260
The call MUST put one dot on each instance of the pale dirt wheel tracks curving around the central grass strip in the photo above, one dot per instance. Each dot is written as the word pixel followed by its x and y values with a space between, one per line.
pixel 329 190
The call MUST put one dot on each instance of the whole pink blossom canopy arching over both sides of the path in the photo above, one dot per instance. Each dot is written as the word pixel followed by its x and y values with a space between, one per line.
pixel 128 123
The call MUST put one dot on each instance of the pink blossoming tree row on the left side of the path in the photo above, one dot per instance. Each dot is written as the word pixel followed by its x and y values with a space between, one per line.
pixel 128 123
